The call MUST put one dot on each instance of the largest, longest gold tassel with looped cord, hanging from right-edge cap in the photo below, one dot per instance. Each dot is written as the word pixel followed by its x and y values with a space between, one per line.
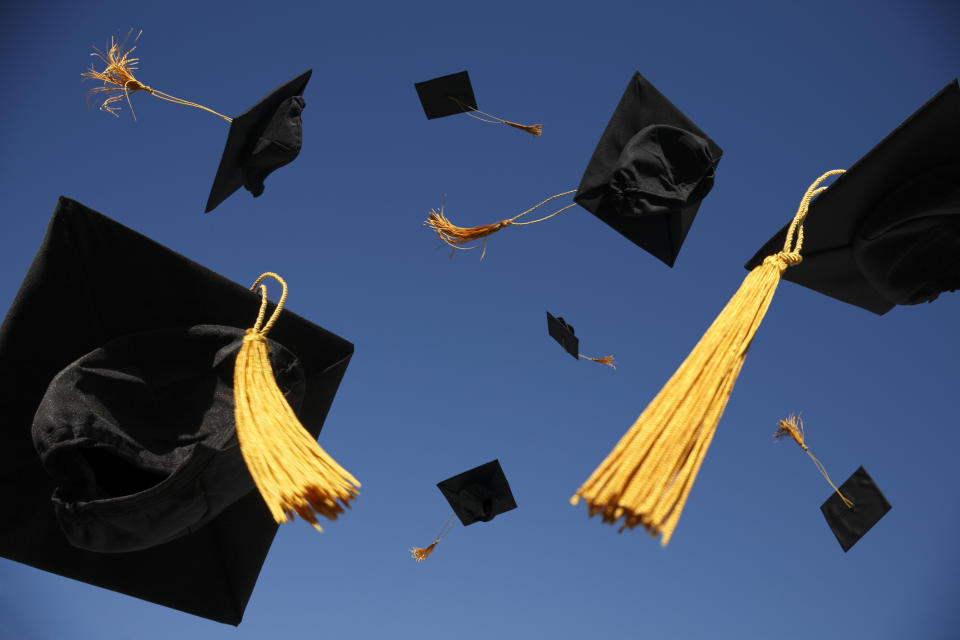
pixel 647 477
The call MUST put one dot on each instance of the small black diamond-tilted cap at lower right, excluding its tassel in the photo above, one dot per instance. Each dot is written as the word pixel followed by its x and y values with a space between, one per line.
pixel 869 505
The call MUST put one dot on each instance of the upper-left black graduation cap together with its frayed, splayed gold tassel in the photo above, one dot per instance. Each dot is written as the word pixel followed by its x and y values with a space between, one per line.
pixel 264 138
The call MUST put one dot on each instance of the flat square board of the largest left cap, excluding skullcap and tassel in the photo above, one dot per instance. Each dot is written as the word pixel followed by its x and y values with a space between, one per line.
pixel 95 282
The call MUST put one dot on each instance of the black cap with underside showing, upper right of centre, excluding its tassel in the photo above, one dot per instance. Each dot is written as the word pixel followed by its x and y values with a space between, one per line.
pixel 649 172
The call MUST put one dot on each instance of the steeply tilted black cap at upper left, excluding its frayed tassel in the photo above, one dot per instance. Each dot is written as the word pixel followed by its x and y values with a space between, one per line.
pixel 264 138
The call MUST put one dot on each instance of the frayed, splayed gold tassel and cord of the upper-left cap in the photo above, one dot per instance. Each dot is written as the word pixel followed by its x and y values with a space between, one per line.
pixel 119 82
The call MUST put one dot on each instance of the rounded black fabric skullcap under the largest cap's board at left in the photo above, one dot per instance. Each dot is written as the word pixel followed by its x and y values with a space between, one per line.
pixel 139 436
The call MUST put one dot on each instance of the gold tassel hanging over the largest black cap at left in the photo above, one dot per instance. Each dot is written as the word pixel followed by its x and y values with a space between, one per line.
pixel 293 473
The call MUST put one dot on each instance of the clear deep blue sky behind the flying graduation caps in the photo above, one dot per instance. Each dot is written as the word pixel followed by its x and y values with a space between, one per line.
pixel 453 365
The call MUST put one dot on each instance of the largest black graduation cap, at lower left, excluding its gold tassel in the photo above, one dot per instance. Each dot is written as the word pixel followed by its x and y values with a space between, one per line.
pixel 95 291
